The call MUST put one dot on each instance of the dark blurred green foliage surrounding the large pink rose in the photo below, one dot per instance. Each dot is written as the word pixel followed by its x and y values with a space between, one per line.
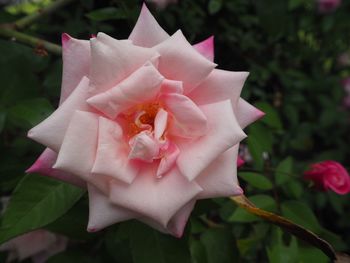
pixel 292 52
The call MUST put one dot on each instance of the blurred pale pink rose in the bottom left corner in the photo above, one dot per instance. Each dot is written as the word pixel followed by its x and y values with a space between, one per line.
pixel 38 245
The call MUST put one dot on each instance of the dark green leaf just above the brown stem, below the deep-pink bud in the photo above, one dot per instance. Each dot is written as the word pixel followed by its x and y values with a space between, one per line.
pixel 300 214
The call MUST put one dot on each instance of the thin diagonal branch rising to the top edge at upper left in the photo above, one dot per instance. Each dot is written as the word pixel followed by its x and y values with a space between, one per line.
pixel 30 19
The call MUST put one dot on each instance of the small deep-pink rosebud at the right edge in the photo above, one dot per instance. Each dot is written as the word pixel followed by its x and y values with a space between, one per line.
pixel 329 175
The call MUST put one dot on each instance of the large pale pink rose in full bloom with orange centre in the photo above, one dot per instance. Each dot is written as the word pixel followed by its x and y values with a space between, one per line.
pixel 148 124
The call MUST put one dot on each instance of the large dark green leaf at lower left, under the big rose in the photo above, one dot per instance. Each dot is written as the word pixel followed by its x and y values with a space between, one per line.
pixel 36 202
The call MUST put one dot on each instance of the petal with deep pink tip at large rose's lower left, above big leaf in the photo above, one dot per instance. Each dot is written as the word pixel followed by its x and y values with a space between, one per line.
pixel 44 163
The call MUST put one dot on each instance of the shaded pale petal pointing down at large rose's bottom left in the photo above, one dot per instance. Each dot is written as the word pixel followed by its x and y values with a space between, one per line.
pixel 102 212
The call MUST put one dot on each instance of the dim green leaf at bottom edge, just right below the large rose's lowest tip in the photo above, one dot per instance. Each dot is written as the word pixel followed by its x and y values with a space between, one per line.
pixel 220 245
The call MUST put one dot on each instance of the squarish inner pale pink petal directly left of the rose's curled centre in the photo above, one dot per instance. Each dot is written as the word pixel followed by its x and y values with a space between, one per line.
pixel 112 153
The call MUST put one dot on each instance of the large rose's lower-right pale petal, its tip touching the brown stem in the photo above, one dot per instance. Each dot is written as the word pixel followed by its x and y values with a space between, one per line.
pixel 219 179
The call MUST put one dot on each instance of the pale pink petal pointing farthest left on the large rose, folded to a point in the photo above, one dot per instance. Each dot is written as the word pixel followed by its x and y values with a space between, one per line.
pixel 51 131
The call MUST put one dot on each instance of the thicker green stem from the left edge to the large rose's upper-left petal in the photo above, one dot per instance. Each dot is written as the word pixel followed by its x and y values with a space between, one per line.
pixel 38 43
